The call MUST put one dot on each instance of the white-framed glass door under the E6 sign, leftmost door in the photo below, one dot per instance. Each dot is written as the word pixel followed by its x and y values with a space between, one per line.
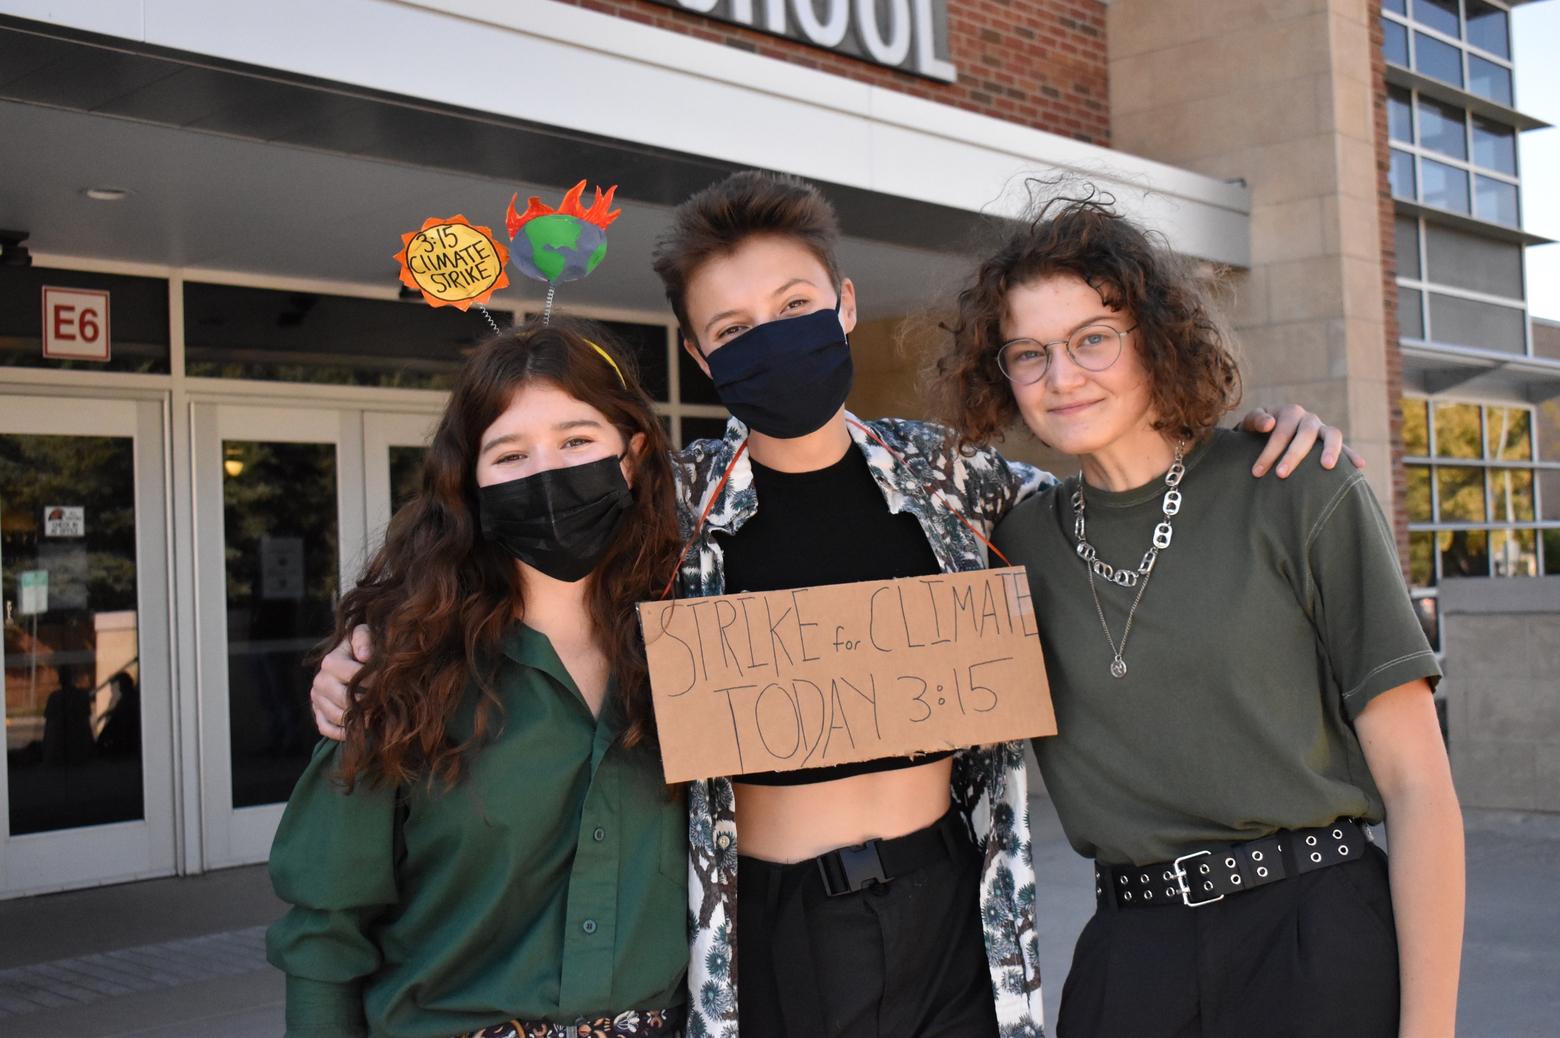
pixel 87 792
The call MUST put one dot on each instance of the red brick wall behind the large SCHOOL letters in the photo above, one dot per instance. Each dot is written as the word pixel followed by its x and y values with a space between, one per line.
pixel 1037 63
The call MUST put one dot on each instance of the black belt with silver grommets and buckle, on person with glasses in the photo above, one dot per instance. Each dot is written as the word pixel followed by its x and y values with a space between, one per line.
pixel 1207 876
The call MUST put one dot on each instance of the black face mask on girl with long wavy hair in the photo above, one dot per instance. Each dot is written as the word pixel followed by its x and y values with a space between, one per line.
pixel 559 522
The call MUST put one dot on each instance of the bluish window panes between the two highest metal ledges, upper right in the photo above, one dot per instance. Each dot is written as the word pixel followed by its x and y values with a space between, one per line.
pixel 1444 157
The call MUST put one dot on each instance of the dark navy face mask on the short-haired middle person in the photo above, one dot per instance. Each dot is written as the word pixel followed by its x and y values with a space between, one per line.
pixel 789 377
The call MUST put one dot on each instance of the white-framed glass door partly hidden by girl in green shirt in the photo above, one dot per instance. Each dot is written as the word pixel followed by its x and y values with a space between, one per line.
pixel 278 508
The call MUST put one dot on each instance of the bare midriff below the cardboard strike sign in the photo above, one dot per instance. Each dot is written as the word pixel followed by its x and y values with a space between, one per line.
pixel 793 823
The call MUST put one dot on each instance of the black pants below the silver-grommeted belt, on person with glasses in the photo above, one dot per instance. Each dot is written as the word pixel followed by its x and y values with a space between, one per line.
pixel 1308 958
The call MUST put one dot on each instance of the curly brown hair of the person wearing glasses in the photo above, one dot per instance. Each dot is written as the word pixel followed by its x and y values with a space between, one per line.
pixel 1182 339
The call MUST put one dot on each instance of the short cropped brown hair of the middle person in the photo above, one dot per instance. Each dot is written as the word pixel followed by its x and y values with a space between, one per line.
pixel 723 216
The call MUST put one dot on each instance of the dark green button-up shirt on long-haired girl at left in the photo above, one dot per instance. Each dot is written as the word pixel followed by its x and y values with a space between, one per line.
pixel 550 884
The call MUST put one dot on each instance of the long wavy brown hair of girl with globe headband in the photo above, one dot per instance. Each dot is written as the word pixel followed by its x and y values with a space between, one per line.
pixel 438 597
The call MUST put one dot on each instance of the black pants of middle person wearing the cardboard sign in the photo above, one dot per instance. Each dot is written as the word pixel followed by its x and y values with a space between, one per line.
pixel 904 961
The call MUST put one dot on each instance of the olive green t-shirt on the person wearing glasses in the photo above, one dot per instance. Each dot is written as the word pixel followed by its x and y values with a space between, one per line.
pixel 1272 620
